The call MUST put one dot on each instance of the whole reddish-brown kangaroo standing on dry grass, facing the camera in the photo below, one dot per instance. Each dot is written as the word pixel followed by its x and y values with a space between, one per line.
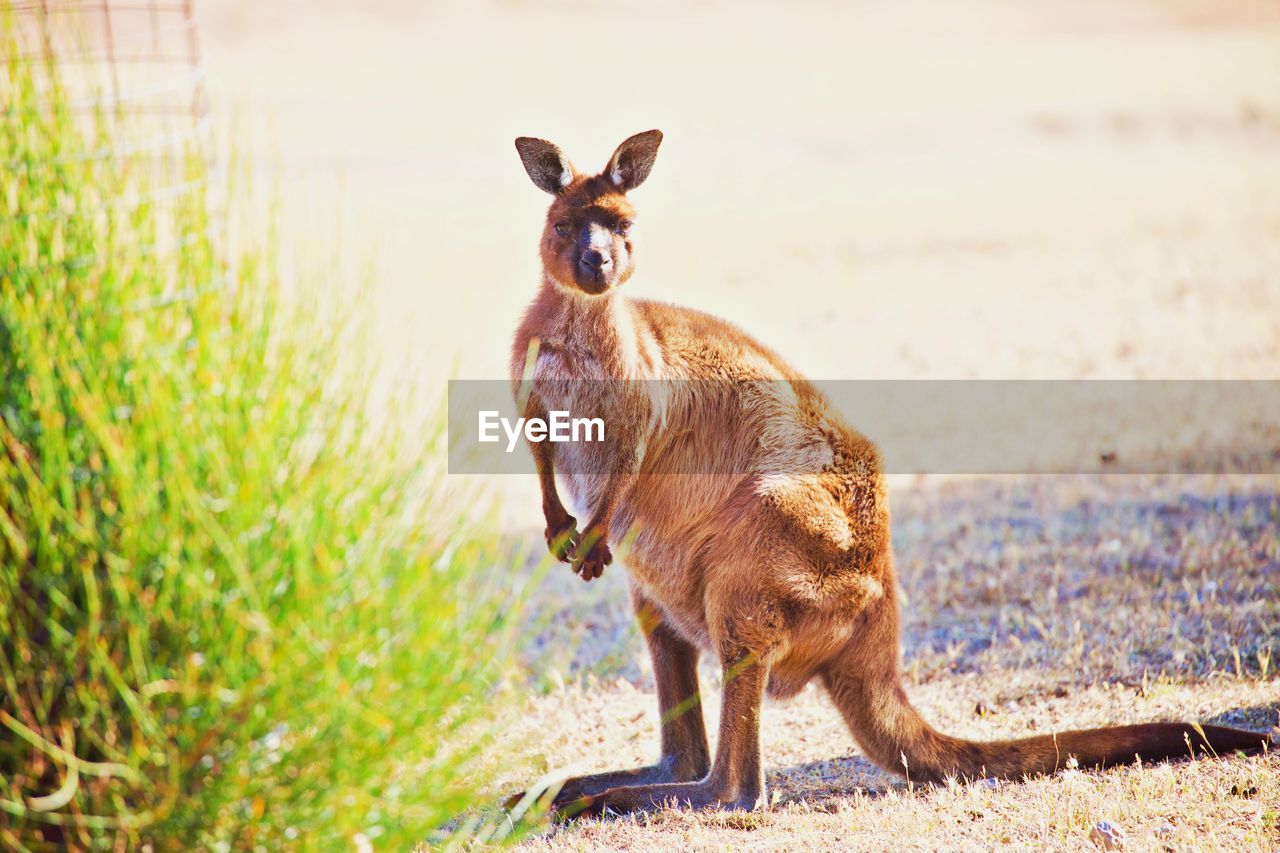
pixel 770 551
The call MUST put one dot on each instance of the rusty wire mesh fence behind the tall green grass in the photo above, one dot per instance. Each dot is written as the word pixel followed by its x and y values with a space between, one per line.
pixel 132 75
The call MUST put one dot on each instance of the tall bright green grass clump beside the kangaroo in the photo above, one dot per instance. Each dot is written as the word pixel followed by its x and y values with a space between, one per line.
pixel 237 608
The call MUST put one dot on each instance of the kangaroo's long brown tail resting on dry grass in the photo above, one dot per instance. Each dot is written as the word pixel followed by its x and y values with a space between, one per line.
pixel 897 738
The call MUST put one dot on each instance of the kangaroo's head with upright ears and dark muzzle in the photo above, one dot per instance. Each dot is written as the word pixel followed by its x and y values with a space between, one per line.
pixel 587 240
